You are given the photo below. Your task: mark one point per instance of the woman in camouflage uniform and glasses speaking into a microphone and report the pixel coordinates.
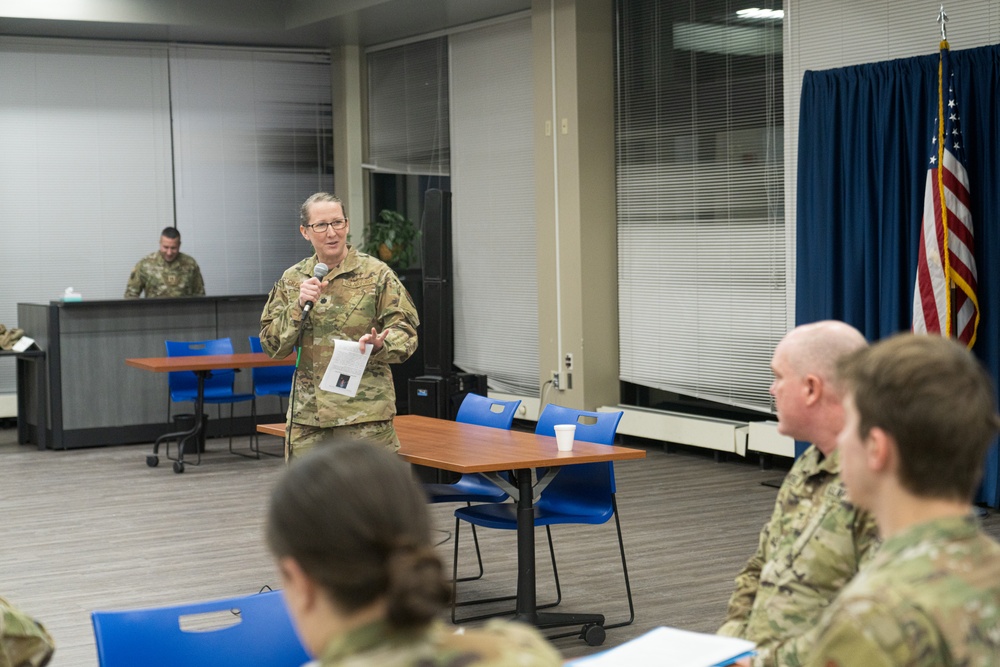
(360, 299)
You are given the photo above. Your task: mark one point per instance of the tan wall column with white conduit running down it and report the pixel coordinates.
(573, 47)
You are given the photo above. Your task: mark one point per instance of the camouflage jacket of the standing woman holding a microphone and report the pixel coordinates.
(361, 293)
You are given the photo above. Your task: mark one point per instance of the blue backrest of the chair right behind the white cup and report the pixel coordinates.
(585, 488)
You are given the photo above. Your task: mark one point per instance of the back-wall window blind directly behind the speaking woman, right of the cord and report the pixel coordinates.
(252, 140)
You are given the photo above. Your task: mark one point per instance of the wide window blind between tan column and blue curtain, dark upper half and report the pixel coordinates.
(702, 246)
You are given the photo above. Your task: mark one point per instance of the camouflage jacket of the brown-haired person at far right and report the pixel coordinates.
(931, 596)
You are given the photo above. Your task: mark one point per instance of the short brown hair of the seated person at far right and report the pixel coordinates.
(935, 400)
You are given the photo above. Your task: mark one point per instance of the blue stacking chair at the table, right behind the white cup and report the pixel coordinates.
(579, 494)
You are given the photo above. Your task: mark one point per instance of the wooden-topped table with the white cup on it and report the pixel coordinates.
(467, 448)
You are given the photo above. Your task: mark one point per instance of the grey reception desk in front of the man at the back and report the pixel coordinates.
(94, 399)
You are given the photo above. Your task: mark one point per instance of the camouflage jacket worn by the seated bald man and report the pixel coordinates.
(813, 545)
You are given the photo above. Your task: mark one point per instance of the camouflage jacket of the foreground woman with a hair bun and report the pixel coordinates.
(498, 644)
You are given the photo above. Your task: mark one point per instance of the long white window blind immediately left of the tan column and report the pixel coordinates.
(493, 177)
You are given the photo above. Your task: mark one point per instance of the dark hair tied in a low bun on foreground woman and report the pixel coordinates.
(356, 522)
